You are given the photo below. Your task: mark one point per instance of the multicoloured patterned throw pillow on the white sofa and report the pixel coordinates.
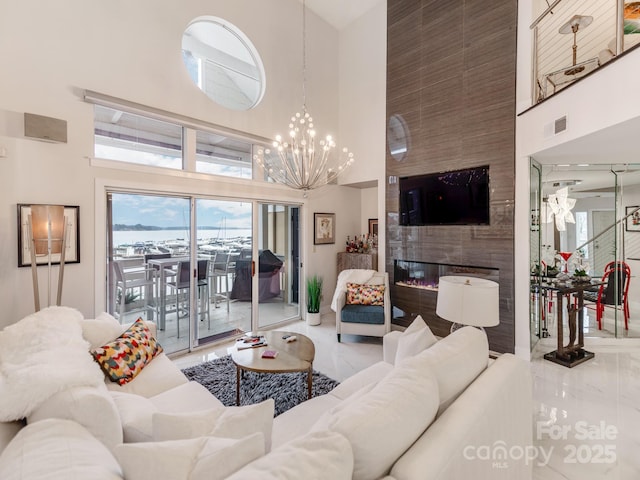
(125, 357)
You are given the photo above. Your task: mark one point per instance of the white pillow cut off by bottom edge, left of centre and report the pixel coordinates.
(209, 458)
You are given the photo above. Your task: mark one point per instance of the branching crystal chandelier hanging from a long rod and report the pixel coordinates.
(297, 161)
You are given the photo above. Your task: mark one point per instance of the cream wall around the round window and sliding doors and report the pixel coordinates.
(52, 51)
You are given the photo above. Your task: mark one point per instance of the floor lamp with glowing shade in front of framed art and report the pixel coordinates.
(47, 229)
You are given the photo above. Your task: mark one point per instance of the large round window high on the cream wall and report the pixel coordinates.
(223, 63)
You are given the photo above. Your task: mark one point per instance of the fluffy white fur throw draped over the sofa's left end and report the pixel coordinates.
(42, 354)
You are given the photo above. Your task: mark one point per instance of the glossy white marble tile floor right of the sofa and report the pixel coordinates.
(588, 416)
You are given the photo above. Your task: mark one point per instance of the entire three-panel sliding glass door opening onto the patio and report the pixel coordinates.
(194, 266)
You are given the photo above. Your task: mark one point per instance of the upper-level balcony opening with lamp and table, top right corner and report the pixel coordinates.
(572, 38)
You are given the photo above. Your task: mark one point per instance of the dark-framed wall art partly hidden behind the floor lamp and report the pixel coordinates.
(72, 250)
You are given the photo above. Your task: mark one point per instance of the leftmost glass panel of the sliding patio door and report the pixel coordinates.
(148, 251)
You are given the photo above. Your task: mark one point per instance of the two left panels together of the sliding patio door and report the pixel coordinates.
(172, 260)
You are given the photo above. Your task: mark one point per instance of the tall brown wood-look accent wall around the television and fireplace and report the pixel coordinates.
(451, 74)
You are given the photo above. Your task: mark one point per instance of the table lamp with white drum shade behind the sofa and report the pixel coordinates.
(468, 301)
